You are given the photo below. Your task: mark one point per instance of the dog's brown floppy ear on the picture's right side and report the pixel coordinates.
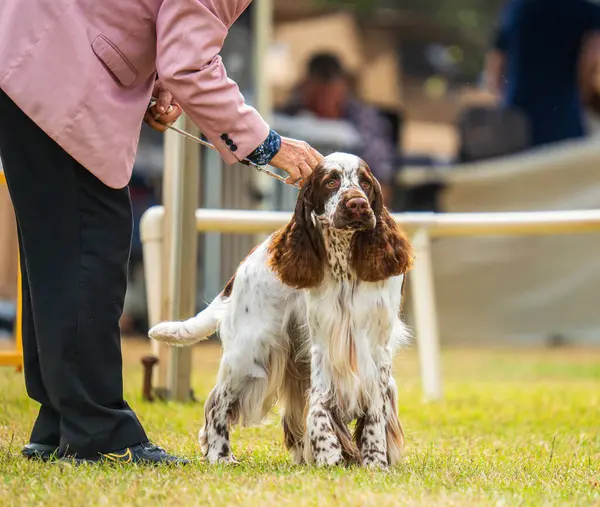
(384, 251)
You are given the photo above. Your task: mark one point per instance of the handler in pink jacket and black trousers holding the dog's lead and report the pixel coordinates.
(76, 77)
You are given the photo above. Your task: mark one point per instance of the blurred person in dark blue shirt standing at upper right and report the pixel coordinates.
(534, 64)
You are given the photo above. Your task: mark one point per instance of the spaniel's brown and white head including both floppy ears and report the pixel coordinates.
(341, 194)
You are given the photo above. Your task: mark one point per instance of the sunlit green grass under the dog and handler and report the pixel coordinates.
(516, 427)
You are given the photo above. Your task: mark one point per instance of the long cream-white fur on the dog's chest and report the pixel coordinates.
(351, 327)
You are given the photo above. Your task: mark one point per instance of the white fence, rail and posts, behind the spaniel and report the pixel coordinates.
(421, 226)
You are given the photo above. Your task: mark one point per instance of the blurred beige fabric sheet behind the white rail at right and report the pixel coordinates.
(520, 289)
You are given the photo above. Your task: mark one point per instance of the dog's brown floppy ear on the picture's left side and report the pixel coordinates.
(297, 253)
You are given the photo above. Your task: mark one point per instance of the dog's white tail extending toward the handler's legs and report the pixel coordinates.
(188, 332)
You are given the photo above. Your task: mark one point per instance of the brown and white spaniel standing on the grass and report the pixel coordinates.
(311, 319)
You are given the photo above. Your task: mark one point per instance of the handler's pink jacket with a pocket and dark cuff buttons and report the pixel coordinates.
(84, 71)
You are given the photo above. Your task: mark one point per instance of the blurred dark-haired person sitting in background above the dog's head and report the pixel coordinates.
(326, 92)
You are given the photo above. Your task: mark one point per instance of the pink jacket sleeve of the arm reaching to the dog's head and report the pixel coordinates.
(190, 35)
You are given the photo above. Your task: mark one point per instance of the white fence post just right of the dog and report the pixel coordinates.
(423, 294)
